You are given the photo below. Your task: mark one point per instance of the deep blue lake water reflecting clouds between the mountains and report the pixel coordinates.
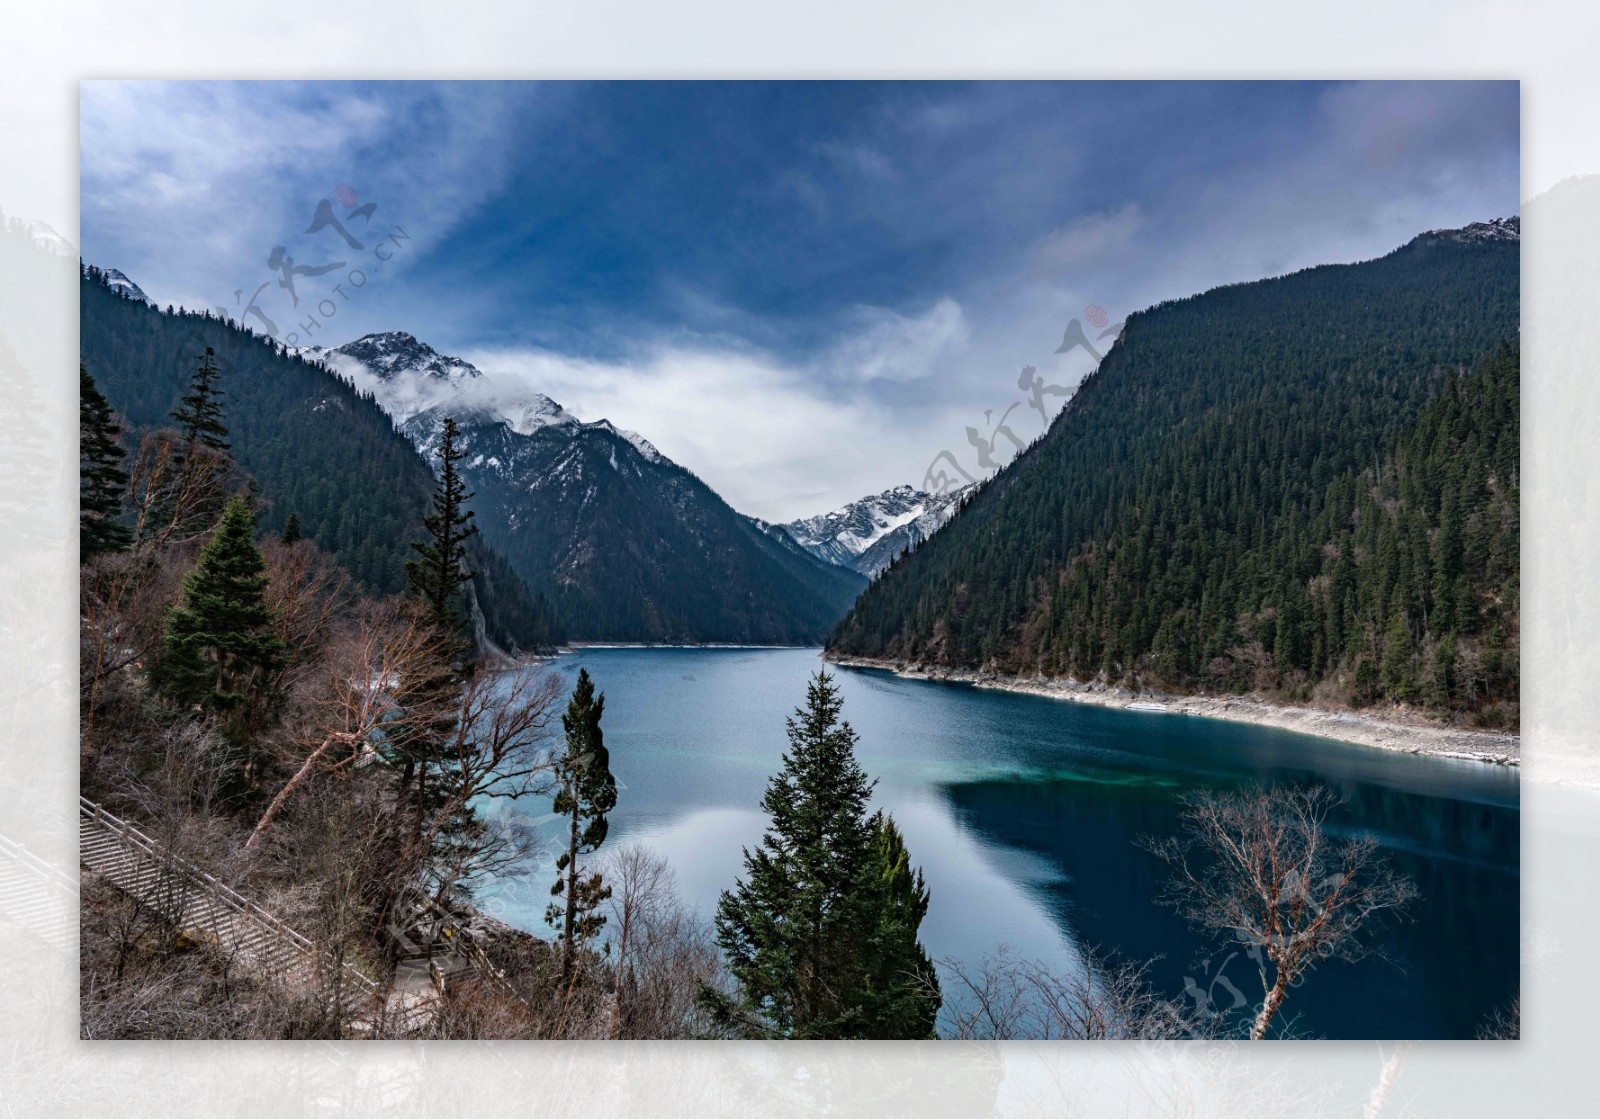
(1023, 814)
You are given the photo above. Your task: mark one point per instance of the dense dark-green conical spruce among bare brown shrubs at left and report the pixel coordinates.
(218, 644)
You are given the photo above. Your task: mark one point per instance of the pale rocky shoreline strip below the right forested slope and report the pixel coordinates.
(1399, 732)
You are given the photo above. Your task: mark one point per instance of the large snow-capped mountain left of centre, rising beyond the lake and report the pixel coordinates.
(626, 545)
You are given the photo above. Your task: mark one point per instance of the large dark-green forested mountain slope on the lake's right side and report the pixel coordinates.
(1303, 486)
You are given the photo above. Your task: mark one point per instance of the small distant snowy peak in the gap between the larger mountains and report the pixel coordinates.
(868, 535)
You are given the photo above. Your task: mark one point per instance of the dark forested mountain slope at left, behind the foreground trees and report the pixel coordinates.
(319, 449)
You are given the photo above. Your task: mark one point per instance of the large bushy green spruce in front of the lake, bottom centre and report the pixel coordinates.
(822, 930)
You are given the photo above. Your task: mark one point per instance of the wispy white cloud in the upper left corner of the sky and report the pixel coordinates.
(196, 182)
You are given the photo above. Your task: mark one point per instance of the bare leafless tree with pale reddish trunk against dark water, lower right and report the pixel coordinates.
(1258, 870)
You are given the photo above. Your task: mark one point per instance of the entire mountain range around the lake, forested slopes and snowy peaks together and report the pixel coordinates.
(1236, 497)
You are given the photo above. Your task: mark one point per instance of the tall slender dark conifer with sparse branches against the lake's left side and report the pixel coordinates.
(586, 793)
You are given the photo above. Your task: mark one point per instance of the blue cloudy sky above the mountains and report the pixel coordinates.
(802, 292)
